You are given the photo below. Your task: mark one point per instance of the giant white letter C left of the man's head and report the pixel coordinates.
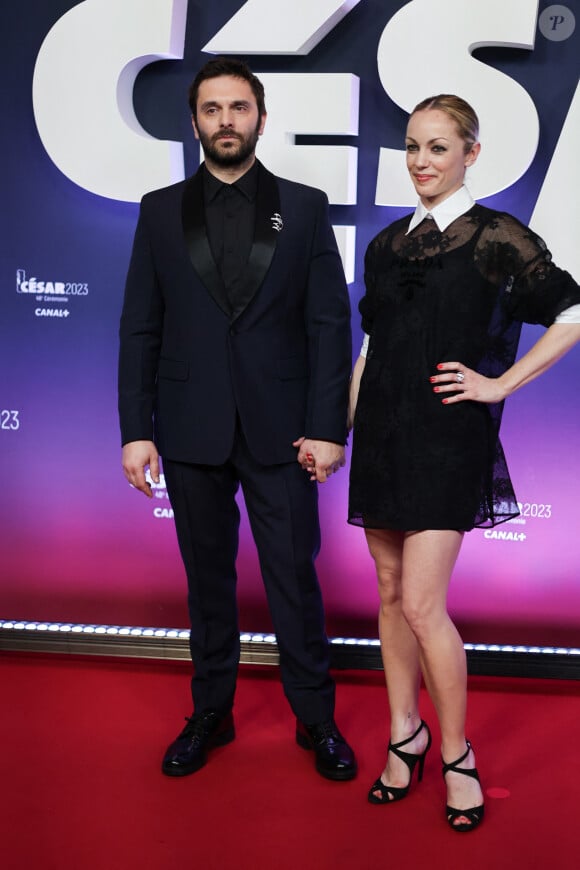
(83, 94)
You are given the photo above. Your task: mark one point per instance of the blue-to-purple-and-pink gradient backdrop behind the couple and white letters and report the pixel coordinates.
(77, 543)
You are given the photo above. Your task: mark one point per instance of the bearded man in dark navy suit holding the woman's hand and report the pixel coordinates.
(234, 367)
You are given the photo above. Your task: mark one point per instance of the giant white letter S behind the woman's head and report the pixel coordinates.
(426, 49)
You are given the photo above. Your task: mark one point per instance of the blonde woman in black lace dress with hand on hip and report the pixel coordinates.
(447, 289)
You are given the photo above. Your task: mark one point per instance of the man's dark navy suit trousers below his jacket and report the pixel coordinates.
(282, 505)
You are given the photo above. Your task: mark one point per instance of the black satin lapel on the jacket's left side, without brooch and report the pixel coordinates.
(193, 221)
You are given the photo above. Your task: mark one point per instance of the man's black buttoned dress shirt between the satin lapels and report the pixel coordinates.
(230, 214)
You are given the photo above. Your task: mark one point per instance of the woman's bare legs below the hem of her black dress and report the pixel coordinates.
(414, 569)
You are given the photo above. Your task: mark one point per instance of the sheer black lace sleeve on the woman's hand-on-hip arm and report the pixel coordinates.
(536, 290)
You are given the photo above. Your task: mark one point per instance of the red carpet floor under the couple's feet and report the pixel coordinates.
(82, 740)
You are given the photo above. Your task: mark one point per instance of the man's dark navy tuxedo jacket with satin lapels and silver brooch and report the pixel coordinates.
(280, 359)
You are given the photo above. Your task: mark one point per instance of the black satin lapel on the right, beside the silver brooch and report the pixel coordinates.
(265, 239)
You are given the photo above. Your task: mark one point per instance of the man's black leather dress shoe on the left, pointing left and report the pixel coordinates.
(203, 731)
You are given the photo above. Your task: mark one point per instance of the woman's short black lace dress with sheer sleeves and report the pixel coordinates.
(432, 297)
